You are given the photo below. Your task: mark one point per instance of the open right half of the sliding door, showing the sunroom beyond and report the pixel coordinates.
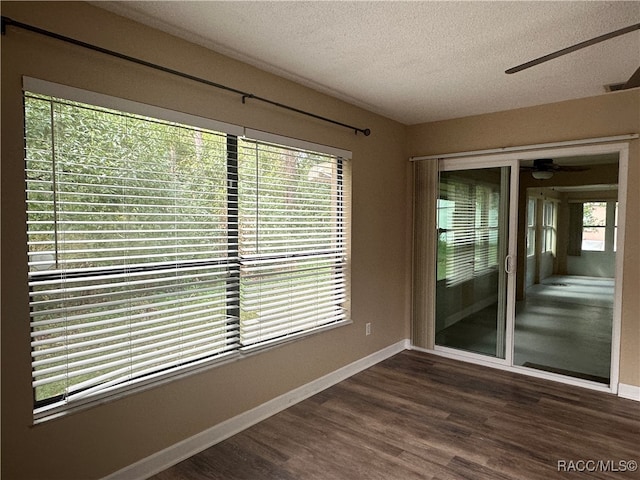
(566, 284)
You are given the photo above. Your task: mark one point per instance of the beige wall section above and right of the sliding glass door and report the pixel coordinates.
(606, 115)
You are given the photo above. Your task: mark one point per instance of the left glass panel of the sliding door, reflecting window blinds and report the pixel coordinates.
(471, 284)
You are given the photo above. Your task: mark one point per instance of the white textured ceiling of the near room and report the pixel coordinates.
(414, 61)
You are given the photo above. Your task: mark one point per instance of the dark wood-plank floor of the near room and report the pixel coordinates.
(419, 416)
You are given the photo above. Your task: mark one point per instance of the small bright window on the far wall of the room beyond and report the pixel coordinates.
(598, 219)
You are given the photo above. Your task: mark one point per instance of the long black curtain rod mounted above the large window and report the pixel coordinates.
(6, 21)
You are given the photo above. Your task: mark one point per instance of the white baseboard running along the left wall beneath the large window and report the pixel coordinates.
(180, 451)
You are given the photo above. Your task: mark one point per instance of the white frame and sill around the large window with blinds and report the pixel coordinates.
(48, 409)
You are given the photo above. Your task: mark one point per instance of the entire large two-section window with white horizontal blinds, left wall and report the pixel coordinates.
(155, 246)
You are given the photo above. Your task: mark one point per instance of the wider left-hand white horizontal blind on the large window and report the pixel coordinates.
(130, 268)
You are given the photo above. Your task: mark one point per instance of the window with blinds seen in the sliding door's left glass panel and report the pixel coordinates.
(468, 229)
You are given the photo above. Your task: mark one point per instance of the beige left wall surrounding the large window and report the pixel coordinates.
(103, 439)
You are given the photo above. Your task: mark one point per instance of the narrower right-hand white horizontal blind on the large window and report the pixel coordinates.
(292, 241)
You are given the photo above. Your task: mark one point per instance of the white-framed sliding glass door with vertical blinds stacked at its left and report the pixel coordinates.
(502, 240)
